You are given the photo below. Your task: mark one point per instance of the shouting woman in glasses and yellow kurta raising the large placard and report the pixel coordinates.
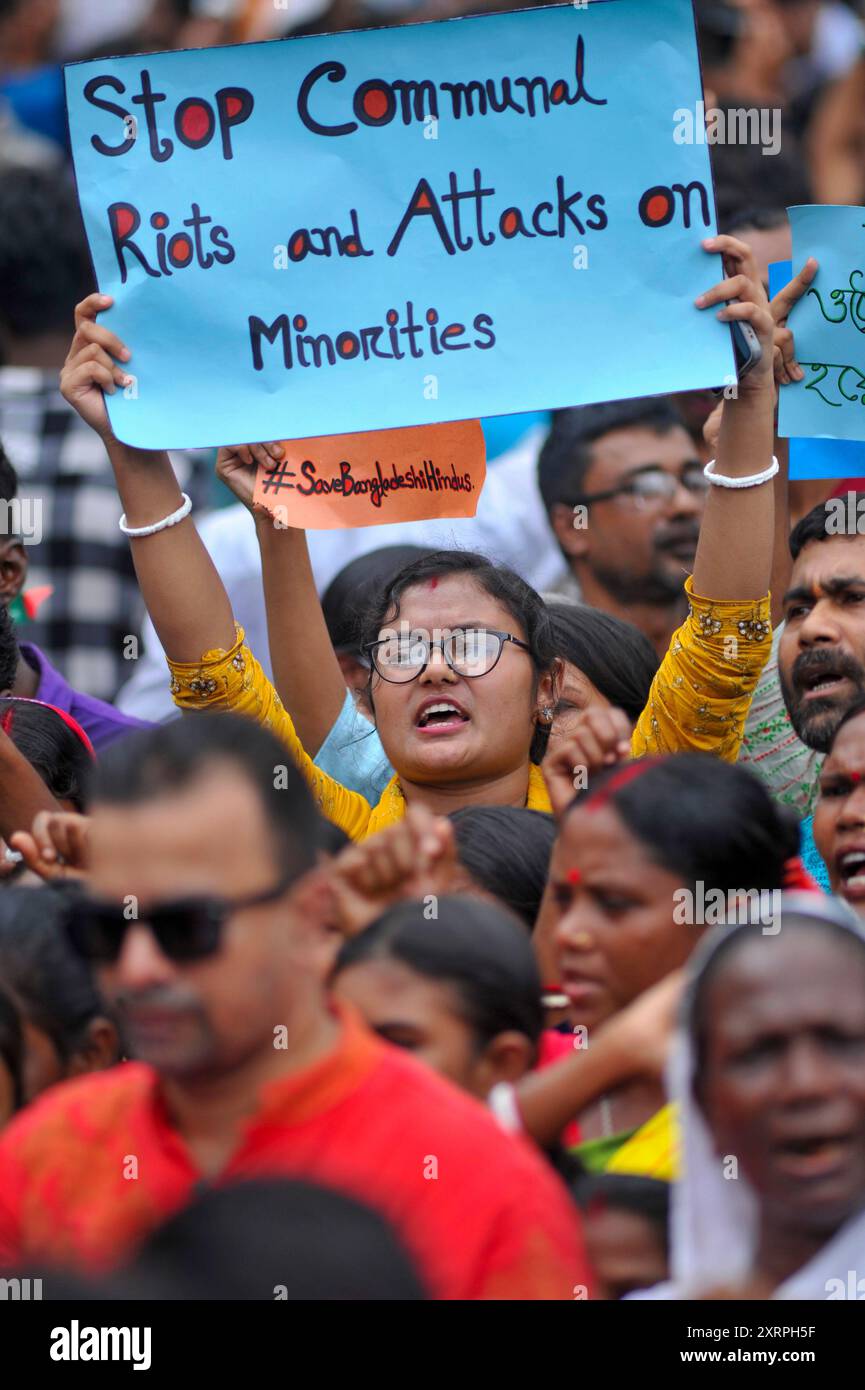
(465, 669)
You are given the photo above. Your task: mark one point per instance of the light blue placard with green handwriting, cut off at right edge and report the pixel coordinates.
(830, 327)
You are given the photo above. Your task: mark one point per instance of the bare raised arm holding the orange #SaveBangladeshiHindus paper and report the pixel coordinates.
(307, 672)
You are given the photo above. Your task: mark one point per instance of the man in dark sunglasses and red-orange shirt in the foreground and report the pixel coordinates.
(207, 918)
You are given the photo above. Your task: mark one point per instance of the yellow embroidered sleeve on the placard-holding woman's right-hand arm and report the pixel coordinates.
(703, 690)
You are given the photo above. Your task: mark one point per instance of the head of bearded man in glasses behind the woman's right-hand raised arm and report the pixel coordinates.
(625, 493)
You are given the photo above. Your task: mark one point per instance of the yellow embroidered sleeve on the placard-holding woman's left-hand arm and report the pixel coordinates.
(236, 682)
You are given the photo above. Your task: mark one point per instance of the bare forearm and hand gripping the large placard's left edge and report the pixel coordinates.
(180, 583)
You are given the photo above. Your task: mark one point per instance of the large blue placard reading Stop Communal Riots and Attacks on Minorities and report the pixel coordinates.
(401, 227)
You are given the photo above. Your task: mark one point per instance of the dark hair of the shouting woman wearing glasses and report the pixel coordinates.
(525, 605)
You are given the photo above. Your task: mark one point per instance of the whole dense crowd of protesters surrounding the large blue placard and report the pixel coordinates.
(486, 921)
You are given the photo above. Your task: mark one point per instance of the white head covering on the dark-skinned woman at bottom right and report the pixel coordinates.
(714, 1221)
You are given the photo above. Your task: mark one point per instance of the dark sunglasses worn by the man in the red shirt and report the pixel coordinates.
(187, 929)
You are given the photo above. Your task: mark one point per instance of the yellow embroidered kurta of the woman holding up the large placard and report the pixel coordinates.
(699, 701)
